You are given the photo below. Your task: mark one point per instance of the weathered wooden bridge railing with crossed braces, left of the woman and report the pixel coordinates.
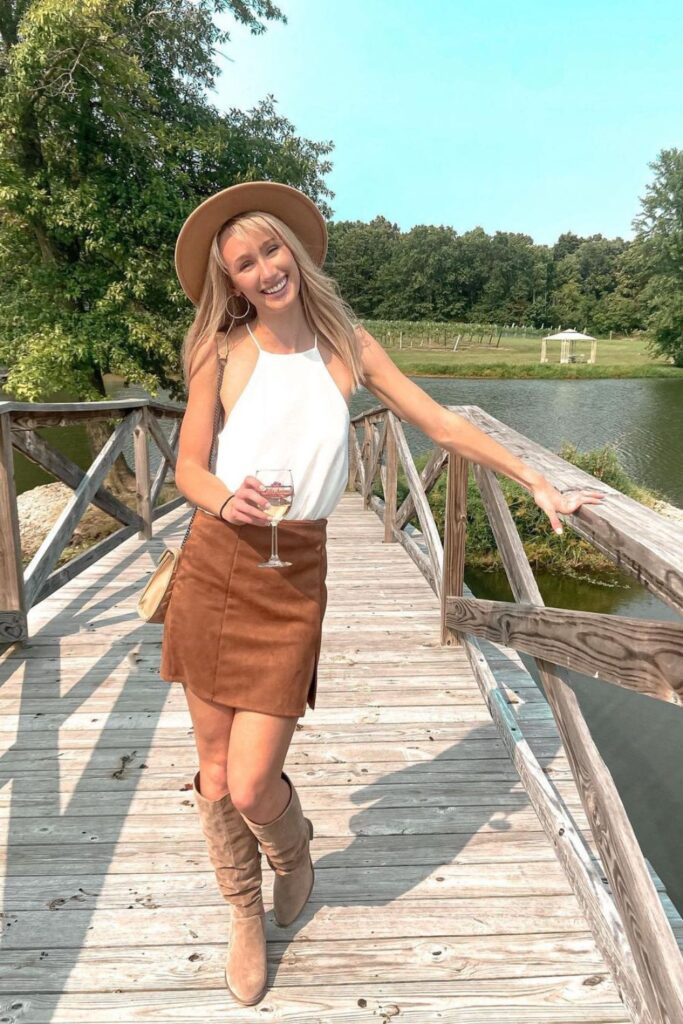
(140, 418)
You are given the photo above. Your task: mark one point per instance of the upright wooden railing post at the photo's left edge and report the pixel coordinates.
(14, 626)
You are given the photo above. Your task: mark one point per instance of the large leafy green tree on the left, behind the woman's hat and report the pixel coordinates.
(107, 143)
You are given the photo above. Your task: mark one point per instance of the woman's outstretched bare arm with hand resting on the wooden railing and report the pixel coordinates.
(454, 433)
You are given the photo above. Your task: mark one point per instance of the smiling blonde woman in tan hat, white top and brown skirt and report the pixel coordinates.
(242, 639)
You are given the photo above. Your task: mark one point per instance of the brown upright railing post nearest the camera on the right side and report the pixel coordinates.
(455, 525)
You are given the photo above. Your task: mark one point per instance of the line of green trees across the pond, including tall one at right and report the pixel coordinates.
(595, 283)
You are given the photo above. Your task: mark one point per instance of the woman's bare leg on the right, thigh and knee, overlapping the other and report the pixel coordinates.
(259, 746)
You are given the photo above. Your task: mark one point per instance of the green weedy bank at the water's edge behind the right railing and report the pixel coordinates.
(566, 553)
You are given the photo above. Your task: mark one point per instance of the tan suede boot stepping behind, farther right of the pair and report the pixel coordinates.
(285, 842)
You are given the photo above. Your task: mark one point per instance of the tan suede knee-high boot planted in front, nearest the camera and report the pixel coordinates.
(237, 862)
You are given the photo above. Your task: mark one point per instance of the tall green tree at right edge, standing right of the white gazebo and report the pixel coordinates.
(657, 255)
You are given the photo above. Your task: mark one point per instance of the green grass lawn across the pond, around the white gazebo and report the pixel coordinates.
(520, 358)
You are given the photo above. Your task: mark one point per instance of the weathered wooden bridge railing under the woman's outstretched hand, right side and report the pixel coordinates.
(629, 924)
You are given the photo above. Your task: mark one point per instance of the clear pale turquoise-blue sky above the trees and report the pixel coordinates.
(531, 116)
